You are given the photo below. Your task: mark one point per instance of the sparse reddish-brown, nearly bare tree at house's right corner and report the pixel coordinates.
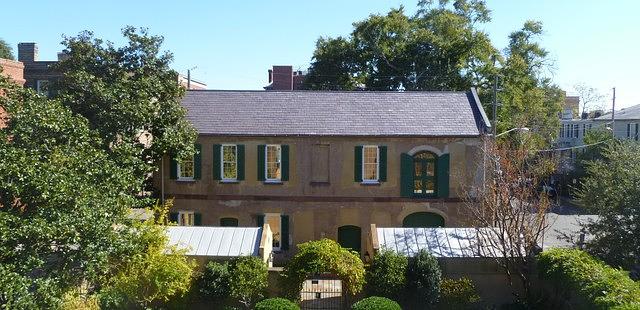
(509, 211)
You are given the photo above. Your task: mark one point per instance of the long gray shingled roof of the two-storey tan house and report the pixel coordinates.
(324, 113)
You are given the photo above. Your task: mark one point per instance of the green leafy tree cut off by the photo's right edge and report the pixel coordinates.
(610, 190)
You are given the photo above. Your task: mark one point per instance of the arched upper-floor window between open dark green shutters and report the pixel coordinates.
(424, 174)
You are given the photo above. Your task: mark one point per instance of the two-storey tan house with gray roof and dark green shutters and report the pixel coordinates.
(326, 164)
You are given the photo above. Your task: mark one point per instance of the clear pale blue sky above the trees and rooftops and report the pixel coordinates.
(233, 43)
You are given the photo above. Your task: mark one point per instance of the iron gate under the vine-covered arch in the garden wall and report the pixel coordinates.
(322, 292)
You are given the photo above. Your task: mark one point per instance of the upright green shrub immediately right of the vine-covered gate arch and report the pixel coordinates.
(387, 275)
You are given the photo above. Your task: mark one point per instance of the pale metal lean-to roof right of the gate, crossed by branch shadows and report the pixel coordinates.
(440, 242)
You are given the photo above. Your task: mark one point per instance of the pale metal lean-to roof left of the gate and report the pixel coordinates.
(216, 241)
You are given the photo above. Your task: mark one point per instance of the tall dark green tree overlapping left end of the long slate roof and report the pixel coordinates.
(126, 92)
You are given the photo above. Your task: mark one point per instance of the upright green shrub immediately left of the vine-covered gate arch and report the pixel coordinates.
(248, 279)
